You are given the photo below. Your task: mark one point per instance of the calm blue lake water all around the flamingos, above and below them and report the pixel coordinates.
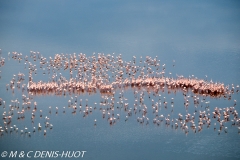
(203, 39)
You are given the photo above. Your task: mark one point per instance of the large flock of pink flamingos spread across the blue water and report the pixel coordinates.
(109, 76)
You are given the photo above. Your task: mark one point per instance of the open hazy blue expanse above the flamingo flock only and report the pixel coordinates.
(194, 32)
